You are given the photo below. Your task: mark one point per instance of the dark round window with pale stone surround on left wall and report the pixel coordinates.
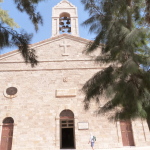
(11, 92)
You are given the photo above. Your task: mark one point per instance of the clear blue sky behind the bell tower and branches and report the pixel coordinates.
(44, 32)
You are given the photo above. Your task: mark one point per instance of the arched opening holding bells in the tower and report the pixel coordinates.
(64, 23)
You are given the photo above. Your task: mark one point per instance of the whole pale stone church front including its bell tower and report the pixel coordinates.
(41, 108)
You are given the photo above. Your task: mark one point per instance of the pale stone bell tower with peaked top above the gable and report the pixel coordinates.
(64, 19)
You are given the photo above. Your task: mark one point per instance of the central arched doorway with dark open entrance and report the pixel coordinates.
(67, 140)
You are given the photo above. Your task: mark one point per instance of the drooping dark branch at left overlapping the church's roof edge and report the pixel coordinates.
(9, 38)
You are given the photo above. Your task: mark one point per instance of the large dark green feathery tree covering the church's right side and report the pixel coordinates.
(122, 29)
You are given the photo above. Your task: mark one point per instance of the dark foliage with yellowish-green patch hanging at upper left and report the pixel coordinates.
(10, 37)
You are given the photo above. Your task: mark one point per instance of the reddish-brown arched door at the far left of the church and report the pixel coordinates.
(7, 134)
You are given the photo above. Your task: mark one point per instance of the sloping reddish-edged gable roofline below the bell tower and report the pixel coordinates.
(52, 39)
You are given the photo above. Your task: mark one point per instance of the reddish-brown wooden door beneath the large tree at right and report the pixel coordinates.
(127, 134)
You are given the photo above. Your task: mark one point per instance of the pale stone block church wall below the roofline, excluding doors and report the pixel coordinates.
(51, 87)
